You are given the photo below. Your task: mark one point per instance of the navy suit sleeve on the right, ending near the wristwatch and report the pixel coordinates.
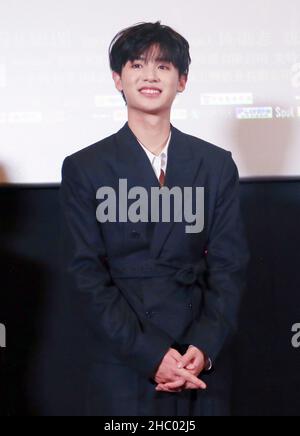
(227, 260)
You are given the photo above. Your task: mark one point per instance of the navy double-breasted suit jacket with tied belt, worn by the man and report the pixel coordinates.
(149, 286)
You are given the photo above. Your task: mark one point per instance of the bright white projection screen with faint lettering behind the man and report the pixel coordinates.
(57, 94)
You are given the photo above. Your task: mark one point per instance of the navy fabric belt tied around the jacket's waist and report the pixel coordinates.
(185, 274)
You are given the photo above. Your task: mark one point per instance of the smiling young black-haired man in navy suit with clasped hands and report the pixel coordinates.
(161, 302)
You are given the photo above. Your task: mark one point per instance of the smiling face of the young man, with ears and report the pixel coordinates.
(150, 86)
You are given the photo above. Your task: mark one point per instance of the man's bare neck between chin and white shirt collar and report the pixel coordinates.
(151, 130)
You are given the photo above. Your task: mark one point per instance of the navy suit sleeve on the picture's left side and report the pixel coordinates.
(137, 343)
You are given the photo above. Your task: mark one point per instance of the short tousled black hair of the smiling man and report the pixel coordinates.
(130, 43)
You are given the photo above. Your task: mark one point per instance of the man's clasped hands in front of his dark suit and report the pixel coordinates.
(177, 372)
